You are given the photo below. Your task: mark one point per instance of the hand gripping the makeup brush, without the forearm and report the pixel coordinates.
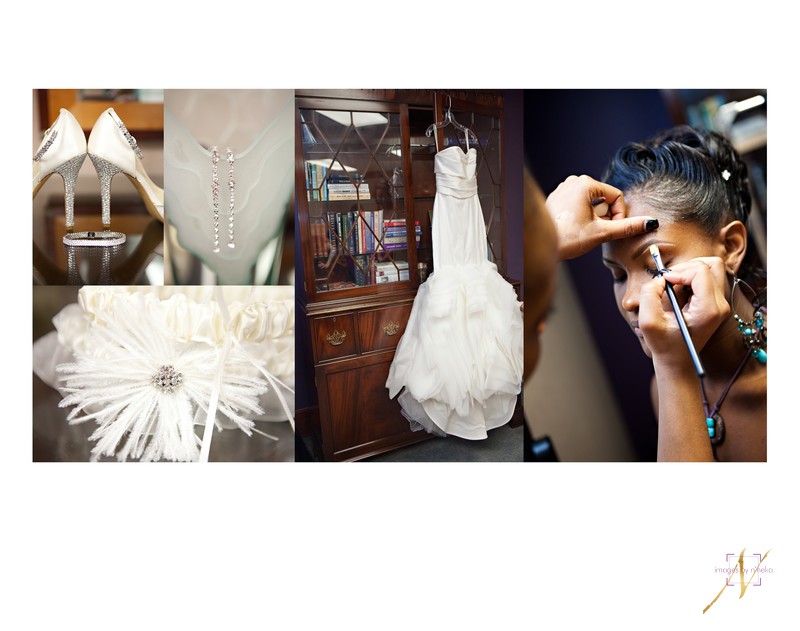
(700, 286)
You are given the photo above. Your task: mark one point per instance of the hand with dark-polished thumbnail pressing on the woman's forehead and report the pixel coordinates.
(588, 213)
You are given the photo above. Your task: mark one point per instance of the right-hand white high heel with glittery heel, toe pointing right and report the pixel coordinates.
(113, 150)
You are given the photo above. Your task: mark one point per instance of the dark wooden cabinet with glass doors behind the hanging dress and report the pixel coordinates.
(365, 188)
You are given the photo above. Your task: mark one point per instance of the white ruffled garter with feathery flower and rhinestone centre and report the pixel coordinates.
(147, 369)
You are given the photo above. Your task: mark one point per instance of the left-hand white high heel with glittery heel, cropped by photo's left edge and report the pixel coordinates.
(62, 151)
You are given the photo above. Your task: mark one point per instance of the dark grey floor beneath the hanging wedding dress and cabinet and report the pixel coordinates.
(504, 444)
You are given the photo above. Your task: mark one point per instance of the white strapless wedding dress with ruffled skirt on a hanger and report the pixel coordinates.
(459, 363)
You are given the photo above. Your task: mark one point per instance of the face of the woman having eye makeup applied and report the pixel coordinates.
(632, 266)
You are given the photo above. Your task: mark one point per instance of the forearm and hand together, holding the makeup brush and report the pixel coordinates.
(682, 432)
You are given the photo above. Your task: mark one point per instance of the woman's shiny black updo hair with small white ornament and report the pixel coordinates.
(689, 175)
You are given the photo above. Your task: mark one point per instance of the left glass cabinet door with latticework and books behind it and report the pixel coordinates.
(355, 191)
